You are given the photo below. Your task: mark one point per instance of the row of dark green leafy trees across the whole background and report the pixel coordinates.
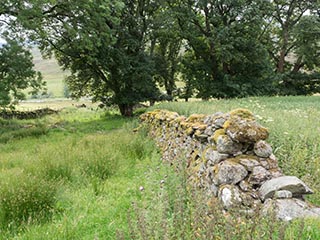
(121, 51)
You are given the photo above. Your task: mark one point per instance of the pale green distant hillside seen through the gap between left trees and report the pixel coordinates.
(51, 73)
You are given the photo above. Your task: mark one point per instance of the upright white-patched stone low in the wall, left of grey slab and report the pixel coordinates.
(229, 196)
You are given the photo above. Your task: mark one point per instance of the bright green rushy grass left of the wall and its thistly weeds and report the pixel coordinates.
(75, 182)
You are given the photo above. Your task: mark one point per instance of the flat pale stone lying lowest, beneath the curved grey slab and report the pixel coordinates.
(289, 209)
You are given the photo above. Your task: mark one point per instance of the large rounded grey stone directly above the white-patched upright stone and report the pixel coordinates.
(229, 172)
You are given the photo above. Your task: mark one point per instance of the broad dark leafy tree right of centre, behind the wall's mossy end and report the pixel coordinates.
(224, 55)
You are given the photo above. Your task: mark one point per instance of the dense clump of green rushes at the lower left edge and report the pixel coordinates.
(25, 198)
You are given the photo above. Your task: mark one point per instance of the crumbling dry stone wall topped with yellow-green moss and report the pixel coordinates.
(227, 155)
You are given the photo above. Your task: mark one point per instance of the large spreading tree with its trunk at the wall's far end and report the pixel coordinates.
(103, 43)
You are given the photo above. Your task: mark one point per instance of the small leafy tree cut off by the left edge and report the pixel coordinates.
(16, 73)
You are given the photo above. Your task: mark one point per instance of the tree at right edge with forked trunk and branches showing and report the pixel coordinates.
(292, 37)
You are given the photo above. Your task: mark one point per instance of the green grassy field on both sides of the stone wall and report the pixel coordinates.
(85, 174)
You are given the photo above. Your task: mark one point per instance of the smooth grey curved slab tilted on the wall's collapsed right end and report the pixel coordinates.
(290, 183)
